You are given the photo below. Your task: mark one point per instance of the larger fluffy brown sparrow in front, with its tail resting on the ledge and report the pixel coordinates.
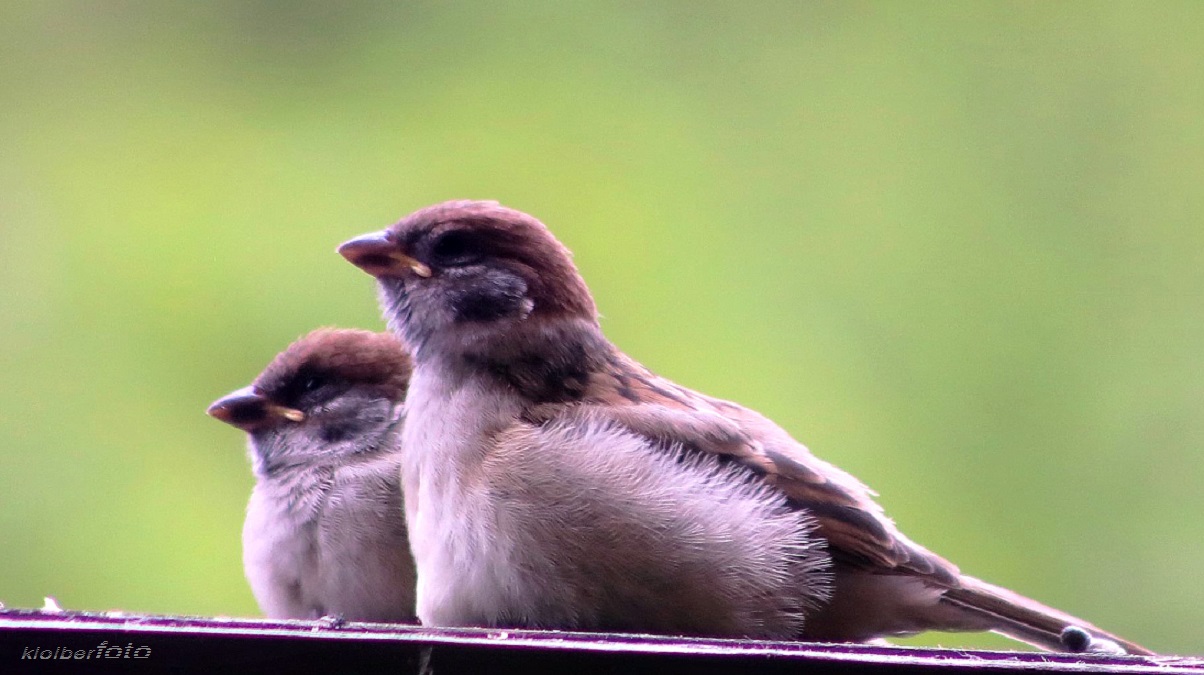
(553, 482)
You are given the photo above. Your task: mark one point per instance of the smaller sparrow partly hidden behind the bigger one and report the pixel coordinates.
(326, 532)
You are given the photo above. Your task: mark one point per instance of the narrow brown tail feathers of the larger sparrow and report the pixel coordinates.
(1030, 621)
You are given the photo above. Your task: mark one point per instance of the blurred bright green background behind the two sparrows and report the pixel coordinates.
(957, 248)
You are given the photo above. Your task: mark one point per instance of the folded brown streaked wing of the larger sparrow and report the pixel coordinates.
(859, 534)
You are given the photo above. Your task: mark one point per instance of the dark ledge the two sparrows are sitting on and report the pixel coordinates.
(37, 641)
